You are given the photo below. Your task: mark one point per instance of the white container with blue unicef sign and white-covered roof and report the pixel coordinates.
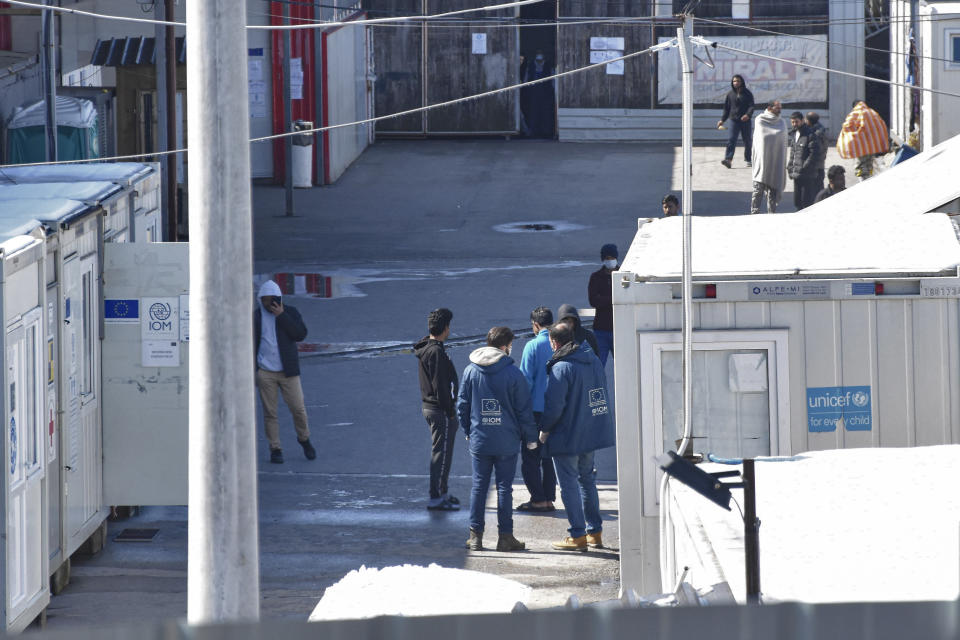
(815, 330)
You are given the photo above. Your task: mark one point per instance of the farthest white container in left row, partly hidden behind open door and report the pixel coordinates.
(131, 208)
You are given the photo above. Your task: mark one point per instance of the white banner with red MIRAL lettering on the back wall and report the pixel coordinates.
(767, 79)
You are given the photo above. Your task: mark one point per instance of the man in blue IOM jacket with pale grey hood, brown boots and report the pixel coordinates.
(494, 413)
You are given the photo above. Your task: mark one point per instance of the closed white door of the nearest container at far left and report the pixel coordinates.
(26, 568)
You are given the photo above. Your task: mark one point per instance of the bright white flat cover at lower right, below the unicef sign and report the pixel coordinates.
(854, 525)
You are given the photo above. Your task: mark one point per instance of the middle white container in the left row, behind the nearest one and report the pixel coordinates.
(74, 246)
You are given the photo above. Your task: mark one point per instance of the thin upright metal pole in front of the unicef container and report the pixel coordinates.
(686, 201)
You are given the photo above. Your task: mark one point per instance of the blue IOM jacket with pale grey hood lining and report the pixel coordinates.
(494, 404)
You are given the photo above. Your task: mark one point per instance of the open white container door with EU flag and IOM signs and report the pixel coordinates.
(145, 373)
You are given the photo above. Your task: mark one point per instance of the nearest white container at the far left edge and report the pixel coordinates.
(25, 441)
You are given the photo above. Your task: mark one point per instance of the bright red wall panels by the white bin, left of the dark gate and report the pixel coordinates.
(301, 46)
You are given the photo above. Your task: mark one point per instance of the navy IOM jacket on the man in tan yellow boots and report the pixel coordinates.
(576, 412)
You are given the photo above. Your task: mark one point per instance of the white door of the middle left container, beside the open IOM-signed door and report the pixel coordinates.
(81, 348)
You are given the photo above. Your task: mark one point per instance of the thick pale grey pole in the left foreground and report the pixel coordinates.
(223, 565)
